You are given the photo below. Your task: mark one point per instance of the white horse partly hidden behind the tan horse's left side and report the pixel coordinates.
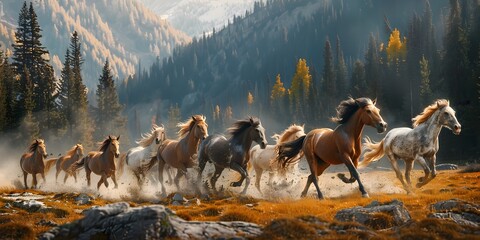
(137, 158)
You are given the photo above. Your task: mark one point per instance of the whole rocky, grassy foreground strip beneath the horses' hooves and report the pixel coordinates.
(447, 208)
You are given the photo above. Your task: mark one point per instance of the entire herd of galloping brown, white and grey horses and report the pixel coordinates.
(321, 147)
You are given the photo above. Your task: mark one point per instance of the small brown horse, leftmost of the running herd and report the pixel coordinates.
(33, 162)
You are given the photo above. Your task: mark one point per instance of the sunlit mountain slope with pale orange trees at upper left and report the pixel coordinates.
(123, 31)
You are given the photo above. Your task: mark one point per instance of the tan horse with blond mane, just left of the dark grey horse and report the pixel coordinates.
(179, 153)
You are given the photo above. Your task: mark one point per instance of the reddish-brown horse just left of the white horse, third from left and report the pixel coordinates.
(101, 162)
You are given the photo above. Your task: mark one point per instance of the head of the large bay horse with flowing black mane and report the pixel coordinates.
(371, 115)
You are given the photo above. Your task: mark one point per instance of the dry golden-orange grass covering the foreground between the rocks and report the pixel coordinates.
(300, 215)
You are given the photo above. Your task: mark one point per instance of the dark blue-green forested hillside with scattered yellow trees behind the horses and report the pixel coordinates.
(294, 60)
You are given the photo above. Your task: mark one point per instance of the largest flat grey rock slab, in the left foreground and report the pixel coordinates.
(120, 221)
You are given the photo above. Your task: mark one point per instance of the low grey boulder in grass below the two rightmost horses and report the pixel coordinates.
(376, 215)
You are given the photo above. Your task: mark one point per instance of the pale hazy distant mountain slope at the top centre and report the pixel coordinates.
(197, 16)
